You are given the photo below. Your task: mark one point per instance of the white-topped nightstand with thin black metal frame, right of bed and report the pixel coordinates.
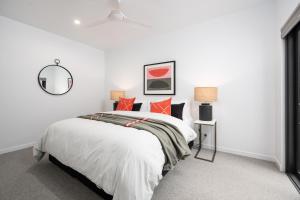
(206, 123)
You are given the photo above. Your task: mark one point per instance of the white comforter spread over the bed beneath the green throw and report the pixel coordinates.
(125, 162)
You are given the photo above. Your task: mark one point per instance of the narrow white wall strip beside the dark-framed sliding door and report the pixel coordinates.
(284, 10)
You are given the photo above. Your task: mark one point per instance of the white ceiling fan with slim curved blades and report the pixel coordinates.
(116, 14)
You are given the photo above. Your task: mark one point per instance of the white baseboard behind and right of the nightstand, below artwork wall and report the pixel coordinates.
(243, 153)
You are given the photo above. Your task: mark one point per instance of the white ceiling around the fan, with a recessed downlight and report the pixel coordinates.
(163, 15)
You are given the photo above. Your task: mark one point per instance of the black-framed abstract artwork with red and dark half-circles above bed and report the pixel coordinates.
(159, 78)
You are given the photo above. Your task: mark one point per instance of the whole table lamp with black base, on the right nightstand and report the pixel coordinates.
(205, 95)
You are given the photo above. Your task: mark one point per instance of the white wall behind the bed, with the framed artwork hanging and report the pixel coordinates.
(234, 52)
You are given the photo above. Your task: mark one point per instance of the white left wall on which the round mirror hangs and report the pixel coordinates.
(26, 110)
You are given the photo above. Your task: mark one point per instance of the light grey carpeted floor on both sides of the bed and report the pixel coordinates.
(228, 178)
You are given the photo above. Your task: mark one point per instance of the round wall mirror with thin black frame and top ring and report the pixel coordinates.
(55, 79)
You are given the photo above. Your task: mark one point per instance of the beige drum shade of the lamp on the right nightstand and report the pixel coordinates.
(205, 94)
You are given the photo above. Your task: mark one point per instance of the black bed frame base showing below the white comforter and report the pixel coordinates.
(85, 180)
